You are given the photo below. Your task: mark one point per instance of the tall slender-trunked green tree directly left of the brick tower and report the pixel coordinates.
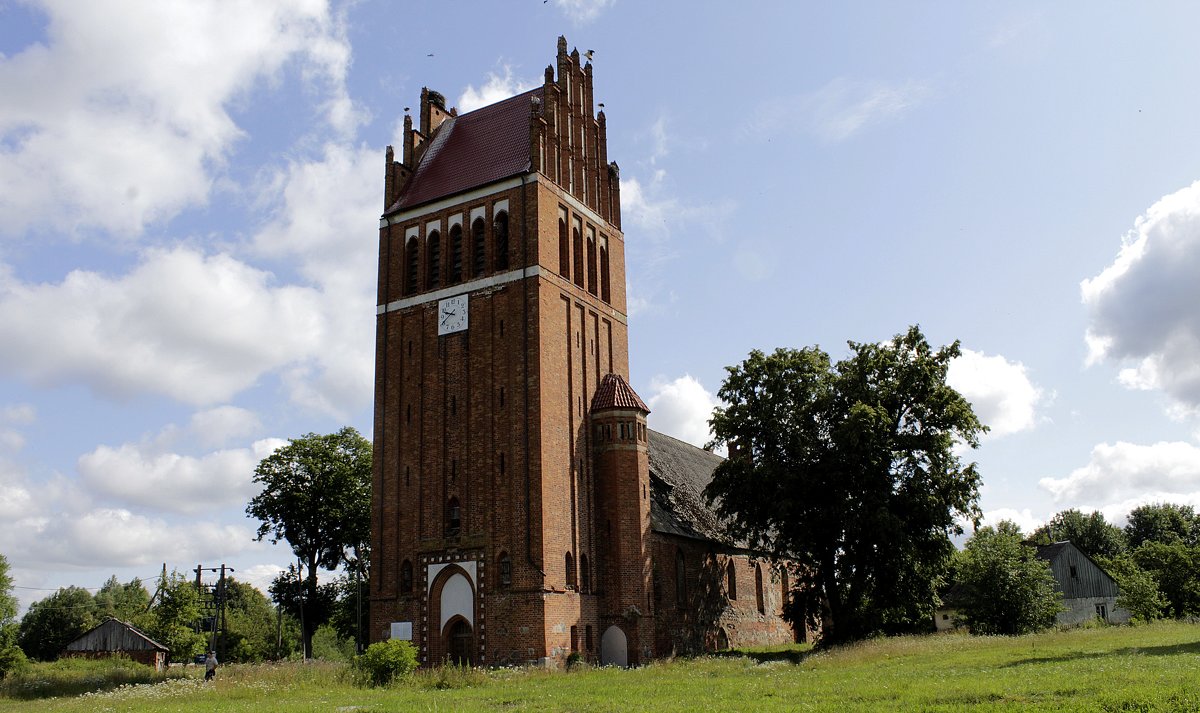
(317, 498)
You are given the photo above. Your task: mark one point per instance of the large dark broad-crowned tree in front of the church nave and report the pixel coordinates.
(851, 471)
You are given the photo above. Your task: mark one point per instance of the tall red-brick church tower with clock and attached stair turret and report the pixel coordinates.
(511, 500)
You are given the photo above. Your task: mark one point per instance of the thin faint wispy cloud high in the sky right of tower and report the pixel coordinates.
(838, 111)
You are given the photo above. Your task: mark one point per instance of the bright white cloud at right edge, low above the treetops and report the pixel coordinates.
(1126, 472)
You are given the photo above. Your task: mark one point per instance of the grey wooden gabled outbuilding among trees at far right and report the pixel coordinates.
(1088, 591)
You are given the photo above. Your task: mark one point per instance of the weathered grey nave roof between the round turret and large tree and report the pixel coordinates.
(680, 472)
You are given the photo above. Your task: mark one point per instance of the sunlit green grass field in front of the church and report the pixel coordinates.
(1153, 668)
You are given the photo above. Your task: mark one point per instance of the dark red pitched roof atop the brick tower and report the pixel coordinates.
(472, 151)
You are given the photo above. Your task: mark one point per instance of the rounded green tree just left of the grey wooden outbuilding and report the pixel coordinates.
(1004, 588)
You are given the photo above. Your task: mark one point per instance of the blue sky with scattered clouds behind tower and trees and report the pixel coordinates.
(190, 194)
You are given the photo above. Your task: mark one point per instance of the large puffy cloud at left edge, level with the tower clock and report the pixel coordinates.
(193, 327)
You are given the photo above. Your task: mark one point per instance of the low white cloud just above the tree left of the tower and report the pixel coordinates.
(136, 475)
